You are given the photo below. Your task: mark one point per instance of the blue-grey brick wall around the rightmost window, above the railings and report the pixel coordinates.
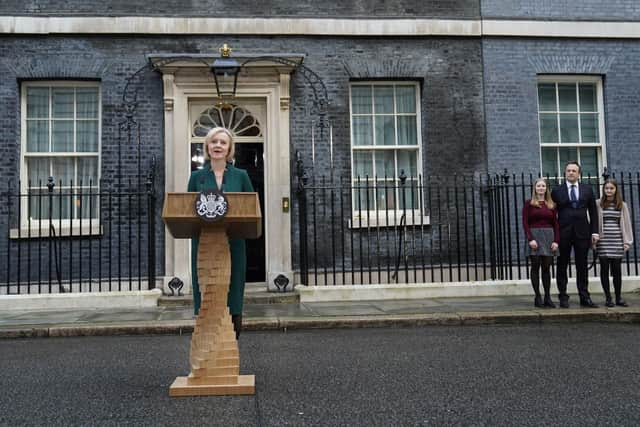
(511, 68)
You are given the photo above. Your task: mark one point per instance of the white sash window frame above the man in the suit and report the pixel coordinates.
(600, 146)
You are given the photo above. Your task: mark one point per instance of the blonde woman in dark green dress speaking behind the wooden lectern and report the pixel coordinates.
(218, 173)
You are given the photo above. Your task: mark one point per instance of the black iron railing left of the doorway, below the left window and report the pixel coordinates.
(66, 237)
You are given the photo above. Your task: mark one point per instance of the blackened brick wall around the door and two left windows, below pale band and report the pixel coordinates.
(449, 69)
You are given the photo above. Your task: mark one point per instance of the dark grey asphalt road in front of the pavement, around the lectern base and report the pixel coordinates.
(558, 374)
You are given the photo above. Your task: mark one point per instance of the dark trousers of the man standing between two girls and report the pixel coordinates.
(580, 251)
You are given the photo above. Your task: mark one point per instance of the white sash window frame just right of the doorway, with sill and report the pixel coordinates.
(387, 217)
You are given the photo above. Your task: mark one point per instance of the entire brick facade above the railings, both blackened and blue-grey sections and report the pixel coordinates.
(478, 94)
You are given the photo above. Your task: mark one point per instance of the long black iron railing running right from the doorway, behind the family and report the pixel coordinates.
(422, 230)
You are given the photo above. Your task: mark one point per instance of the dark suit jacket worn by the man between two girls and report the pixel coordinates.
(581, 221)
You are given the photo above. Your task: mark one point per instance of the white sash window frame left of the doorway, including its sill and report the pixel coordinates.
(33, 227)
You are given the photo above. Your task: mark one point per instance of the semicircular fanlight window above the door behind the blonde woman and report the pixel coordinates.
(239, 120)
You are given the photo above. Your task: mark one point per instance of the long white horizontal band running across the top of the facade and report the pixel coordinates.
(317, 26)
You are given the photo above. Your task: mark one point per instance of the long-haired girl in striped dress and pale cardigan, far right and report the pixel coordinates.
(616, 237)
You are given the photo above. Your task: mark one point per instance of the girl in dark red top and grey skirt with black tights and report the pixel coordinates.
(540, 222)
